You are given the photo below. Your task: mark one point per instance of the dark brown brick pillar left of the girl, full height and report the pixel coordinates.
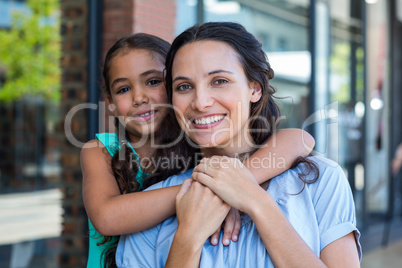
(74, 31)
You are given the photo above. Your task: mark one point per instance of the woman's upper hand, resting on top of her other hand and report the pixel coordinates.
(229, 179)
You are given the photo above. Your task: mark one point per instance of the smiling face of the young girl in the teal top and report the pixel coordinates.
(137, 89)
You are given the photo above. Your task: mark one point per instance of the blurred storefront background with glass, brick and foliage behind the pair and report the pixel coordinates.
(337, 62)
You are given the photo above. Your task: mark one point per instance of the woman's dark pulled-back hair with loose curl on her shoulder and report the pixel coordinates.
(264, 114)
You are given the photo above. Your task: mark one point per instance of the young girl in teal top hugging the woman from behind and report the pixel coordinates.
(112, 178)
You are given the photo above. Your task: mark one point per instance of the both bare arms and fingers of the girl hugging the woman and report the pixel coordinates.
(114, 214)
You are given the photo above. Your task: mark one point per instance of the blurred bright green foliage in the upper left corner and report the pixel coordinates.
(30, 52)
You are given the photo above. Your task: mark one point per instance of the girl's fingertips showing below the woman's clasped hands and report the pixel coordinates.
(231, 228)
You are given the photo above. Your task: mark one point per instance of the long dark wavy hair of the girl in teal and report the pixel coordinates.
(123, 168)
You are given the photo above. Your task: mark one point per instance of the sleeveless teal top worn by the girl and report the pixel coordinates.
(95, 259)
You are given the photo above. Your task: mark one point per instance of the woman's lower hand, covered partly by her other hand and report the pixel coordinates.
(199, 211)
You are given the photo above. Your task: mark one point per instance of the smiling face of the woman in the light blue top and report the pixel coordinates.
(212, 96)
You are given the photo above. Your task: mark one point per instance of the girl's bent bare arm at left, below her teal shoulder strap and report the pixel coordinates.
(112, 213)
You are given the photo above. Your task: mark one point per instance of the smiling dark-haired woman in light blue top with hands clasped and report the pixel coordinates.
(217, 78)
